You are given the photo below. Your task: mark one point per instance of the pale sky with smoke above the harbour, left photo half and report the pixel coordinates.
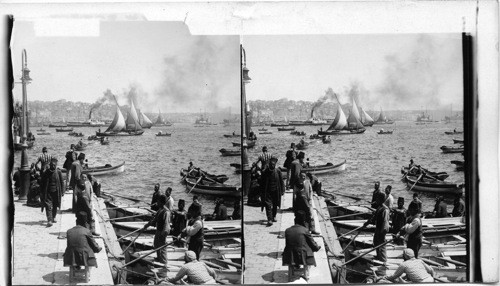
(158, 64)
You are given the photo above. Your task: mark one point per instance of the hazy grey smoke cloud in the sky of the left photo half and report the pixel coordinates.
(200, 79)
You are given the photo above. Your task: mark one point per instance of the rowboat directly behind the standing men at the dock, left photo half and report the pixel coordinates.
(212, 229)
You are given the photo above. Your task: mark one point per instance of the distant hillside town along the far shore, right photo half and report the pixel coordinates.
(284, 109)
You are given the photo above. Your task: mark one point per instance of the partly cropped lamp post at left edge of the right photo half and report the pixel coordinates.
(245, 168)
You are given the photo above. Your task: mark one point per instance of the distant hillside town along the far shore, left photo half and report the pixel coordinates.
(47, 112)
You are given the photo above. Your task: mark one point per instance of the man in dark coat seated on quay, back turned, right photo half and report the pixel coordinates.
(299, 246)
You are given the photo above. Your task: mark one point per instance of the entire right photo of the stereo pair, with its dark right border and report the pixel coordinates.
(353, 170)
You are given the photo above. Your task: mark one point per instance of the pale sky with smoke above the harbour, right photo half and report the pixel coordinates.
(388, 71)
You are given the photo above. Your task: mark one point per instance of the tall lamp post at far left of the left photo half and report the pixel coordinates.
(25, 169)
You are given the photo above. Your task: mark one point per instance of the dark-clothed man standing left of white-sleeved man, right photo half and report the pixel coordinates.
(381, 221)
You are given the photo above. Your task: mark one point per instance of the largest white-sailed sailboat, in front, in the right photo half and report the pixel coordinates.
(341, 124)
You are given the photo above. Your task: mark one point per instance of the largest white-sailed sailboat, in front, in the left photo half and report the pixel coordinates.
(120, 127)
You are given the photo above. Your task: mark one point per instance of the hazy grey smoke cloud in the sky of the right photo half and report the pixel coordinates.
(422, 76)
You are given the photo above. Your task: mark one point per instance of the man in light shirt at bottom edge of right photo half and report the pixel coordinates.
(415, 269)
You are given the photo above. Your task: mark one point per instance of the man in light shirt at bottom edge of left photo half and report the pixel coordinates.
(197, 272)
